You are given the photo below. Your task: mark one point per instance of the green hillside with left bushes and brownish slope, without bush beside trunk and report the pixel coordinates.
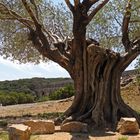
(30, 90)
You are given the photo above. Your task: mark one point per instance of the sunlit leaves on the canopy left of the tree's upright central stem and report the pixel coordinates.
(15, 36)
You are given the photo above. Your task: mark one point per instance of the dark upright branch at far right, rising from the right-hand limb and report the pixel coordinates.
(125, 27)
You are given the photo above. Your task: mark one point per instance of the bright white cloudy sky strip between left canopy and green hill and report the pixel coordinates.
(10, 70)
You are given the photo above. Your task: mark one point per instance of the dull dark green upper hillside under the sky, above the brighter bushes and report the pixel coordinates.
(28, 85)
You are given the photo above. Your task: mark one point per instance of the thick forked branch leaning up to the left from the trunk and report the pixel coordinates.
(38, 37)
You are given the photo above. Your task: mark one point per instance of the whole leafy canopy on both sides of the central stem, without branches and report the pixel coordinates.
(57, 19)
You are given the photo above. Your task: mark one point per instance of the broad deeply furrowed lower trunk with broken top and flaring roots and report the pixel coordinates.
(100, 103)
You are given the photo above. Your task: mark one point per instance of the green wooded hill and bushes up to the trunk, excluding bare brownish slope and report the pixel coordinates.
(22, 91)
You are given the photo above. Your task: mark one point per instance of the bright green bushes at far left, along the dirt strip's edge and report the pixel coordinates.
(15, 98)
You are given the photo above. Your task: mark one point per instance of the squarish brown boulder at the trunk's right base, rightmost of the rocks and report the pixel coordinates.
(128, 126)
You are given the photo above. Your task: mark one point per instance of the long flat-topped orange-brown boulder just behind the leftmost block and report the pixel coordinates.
(41, 126)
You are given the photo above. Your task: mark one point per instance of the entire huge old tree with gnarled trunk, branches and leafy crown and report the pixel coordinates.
(95, 69)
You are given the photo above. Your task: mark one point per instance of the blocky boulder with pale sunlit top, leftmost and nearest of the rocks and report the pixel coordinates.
(19, 132)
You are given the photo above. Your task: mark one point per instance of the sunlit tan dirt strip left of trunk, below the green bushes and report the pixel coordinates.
(35, 108)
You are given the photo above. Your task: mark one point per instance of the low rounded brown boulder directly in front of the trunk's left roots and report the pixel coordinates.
(74, 127)
